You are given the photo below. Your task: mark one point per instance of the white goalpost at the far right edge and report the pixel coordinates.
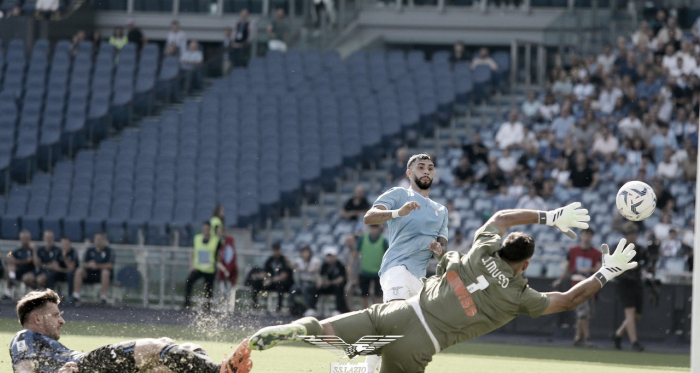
(695, 313)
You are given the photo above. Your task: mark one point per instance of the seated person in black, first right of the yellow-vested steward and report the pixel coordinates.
(275, 276)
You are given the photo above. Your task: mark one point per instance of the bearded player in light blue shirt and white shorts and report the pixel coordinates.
(417, 230)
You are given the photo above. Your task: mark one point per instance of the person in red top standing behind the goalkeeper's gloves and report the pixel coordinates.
(581, 262)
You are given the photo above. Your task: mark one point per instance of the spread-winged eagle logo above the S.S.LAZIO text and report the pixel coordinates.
(367, 345)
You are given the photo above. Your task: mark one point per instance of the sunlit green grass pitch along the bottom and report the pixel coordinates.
(297, 357)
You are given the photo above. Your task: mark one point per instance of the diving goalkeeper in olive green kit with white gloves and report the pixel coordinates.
(470, 295)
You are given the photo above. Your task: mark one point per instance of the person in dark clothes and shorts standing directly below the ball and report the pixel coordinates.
(630, 289)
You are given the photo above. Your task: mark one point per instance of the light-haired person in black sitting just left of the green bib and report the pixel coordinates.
(331, 280)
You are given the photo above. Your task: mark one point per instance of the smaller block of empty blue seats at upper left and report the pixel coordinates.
(53, 102)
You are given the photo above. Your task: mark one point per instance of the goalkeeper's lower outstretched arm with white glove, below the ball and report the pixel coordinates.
(613, 266)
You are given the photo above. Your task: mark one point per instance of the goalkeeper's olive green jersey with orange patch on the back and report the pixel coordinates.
(473, 294)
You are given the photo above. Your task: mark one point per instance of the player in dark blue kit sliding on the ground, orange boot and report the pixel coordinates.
(36, 348)
